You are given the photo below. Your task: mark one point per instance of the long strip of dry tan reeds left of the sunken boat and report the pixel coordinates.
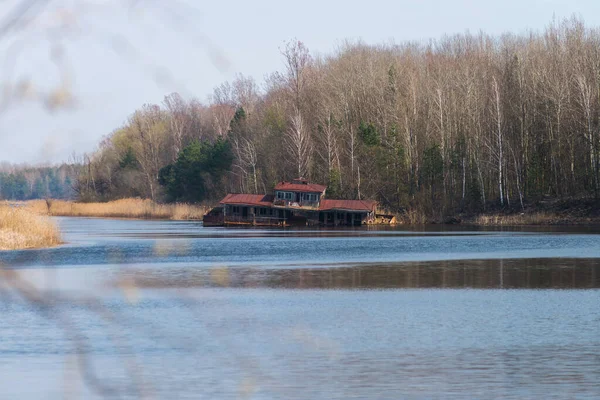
(124, 208)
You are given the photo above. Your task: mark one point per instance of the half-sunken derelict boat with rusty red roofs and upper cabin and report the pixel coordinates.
(297, 202)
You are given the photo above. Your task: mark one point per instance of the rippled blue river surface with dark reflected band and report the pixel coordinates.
(173, 310)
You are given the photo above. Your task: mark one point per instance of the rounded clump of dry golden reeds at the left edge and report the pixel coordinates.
(20, 228)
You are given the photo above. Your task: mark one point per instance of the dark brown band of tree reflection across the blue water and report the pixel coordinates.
(480, 274)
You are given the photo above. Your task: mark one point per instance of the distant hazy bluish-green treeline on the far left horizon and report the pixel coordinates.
(26, 183)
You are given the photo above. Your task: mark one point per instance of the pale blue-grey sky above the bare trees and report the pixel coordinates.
(117, 55)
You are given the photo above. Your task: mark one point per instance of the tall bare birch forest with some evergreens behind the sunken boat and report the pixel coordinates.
(455, 124)
